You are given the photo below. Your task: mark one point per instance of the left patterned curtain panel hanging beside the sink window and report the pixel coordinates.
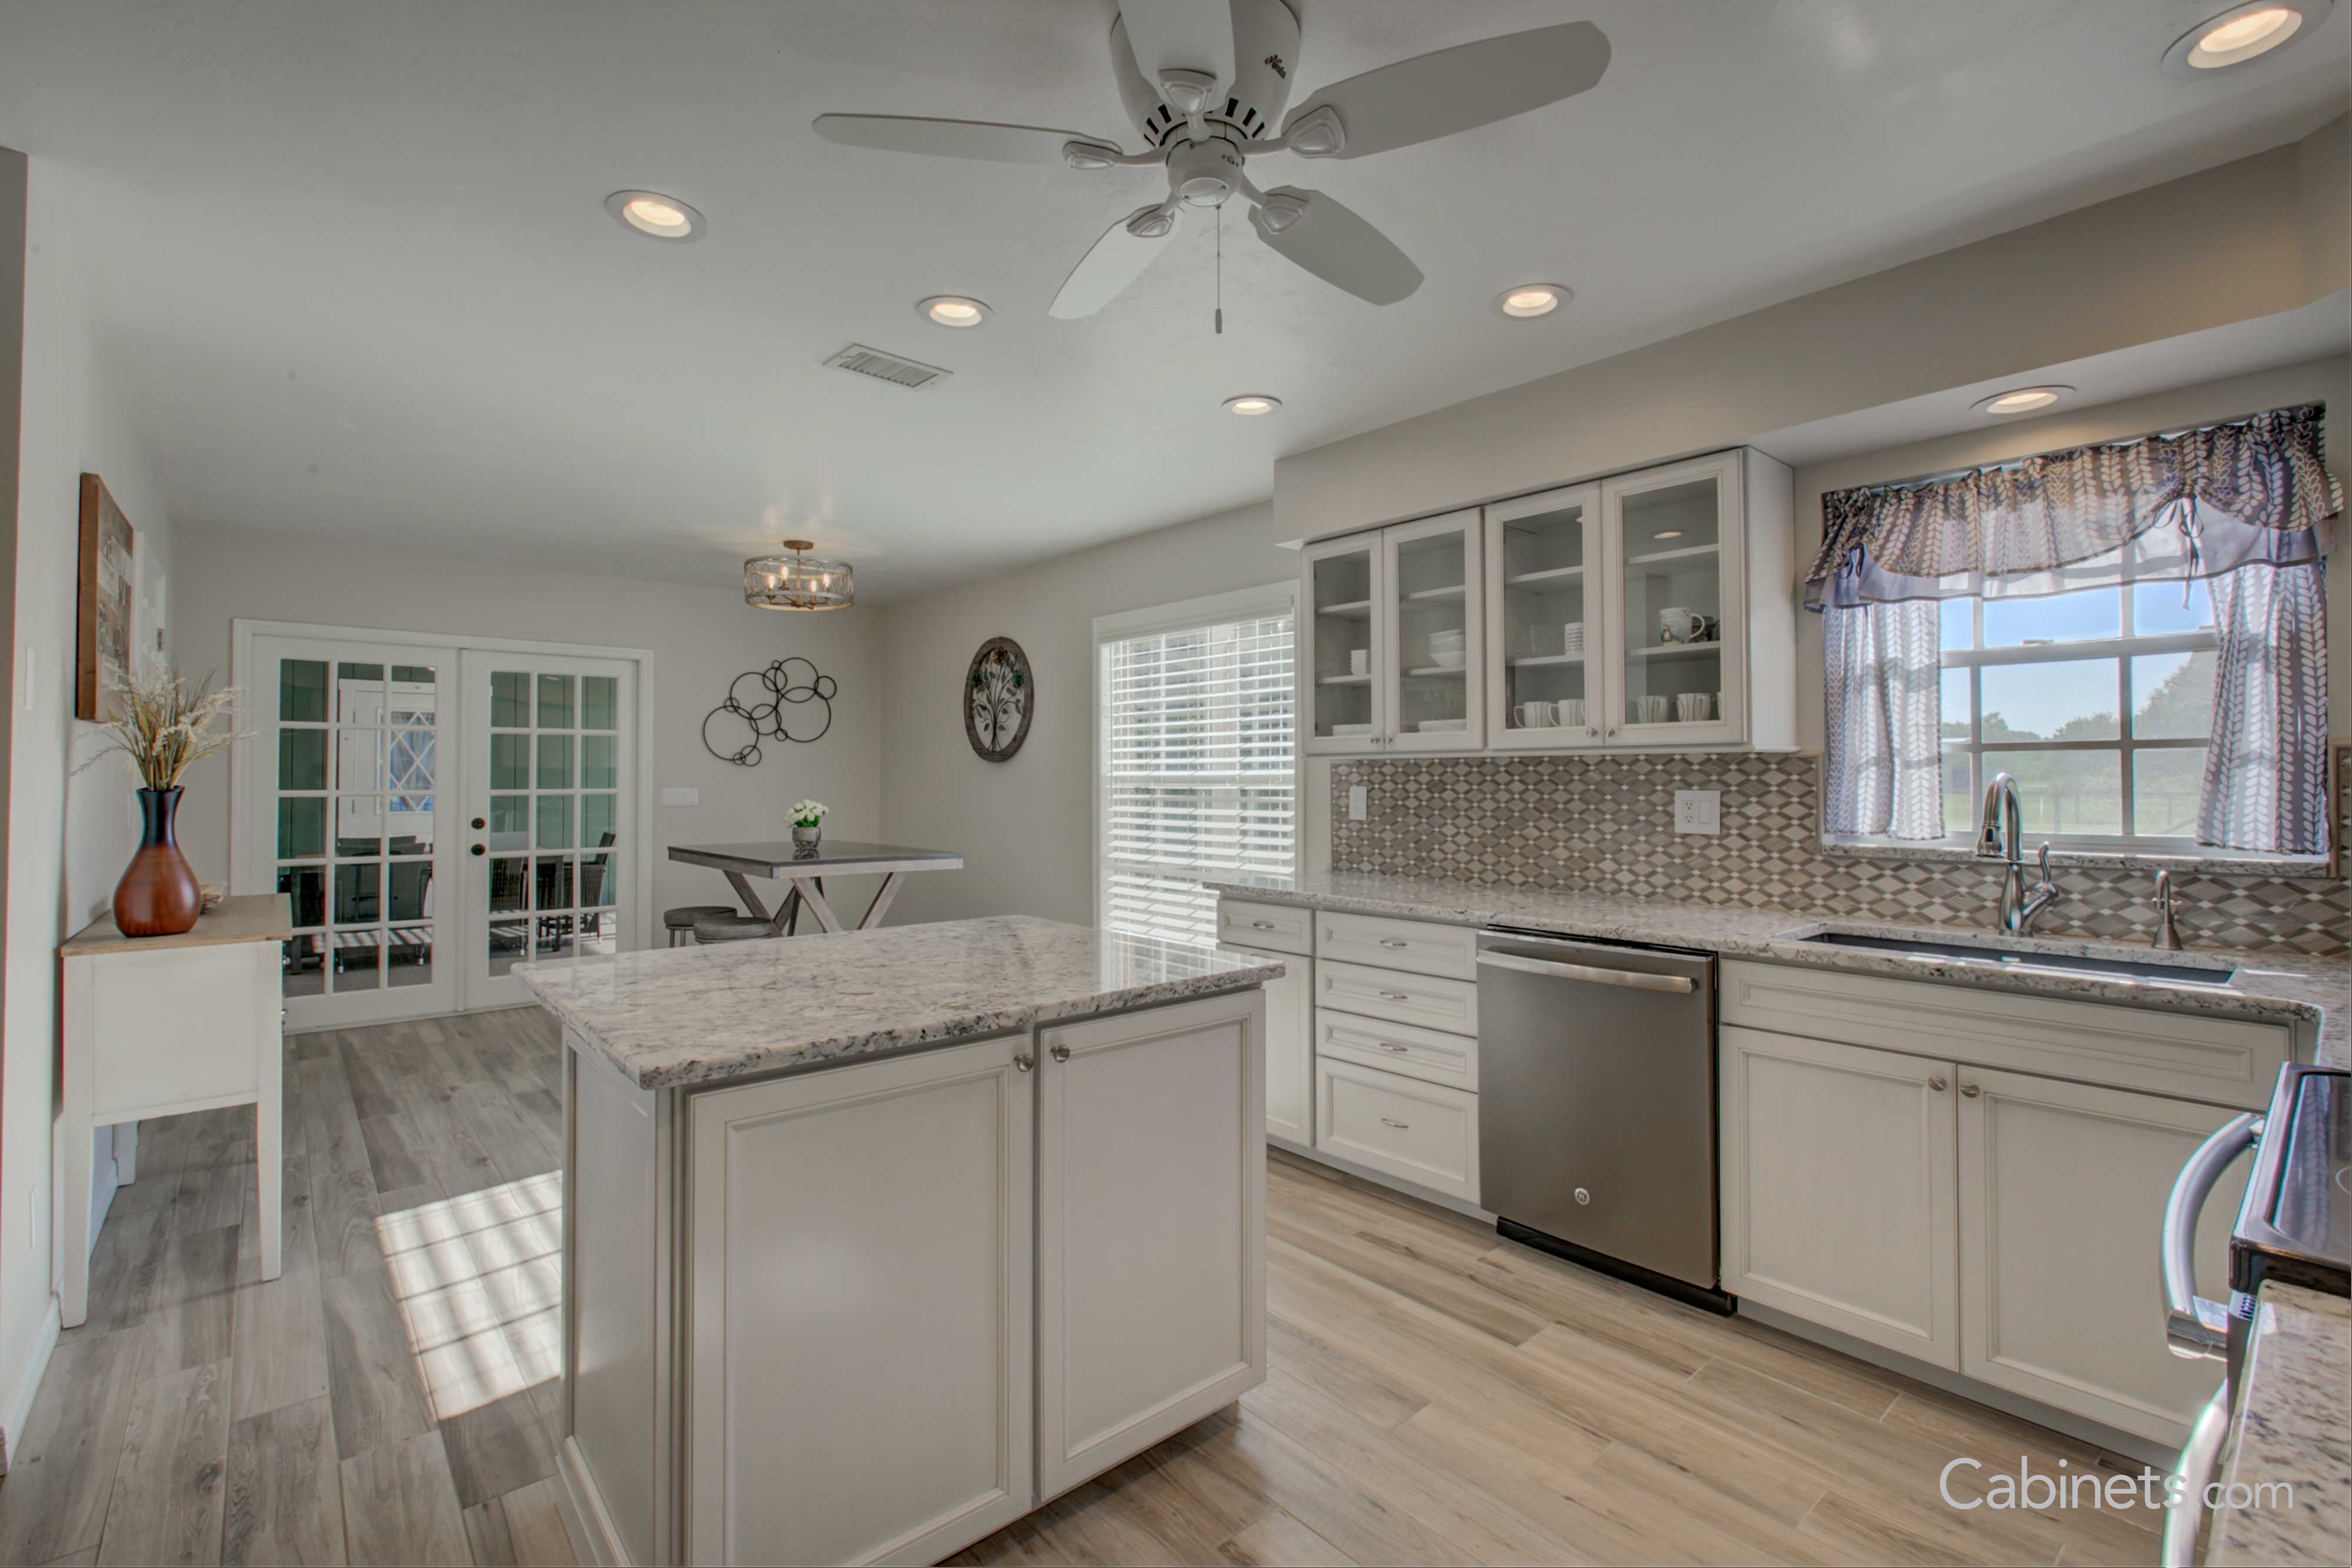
(1885, 711)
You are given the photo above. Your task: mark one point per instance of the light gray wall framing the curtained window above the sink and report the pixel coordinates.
(2191, 406)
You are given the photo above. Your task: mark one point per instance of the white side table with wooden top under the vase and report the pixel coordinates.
(159, 1026)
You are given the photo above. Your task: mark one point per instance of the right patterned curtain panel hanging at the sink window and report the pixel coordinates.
(2266, 784)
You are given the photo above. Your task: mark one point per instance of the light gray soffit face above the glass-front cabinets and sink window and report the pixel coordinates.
(2085, 283)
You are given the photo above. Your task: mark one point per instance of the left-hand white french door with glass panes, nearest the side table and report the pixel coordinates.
(352, 812)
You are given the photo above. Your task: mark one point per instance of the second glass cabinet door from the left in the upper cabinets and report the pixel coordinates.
(1431, 622)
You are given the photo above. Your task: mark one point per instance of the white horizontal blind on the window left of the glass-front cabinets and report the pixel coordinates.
(1198, 763)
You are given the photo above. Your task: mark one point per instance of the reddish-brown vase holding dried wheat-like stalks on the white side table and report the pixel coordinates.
(163, 728)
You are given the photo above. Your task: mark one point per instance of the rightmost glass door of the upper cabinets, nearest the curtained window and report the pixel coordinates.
(1673, 547)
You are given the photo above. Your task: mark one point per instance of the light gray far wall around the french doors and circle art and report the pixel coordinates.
(702, 638)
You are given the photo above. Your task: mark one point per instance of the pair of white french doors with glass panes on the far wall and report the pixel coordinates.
(436, 815)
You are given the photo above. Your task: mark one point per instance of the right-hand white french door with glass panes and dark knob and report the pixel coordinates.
(549, 800)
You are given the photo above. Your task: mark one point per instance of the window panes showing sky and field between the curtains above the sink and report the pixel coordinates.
(2099, 704)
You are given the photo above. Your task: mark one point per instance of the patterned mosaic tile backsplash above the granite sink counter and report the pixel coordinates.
(1608, 826)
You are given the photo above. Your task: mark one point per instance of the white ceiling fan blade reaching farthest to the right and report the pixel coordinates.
(1455, 91)
